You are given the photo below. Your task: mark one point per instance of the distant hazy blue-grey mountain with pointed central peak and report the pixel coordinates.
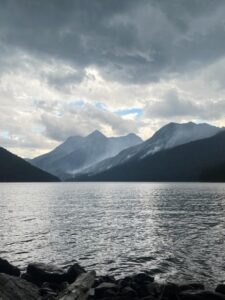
(77, 152)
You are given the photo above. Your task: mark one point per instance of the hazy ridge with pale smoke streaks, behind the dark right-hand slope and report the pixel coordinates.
(170, 135)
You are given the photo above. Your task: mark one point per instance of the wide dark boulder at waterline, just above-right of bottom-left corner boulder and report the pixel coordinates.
(39, 273)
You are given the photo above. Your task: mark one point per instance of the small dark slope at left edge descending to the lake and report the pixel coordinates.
(15, 169)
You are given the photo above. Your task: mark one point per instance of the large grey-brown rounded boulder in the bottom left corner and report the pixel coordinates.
(15, 288)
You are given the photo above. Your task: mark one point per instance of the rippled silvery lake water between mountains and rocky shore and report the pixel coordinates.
(174, 230)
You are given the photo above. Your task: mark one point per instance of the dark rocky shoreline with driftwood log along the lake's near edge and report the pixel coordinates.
(47, 282)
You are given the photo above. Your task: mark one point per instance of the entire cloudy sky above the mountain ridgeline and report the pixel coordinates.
(70, 67)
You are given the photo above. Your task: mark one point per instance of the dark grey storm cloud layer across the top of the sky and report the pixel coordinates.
(128, 40)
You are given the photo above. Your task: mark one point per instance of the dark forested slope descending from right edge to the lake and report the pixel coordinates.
(181, 163)
